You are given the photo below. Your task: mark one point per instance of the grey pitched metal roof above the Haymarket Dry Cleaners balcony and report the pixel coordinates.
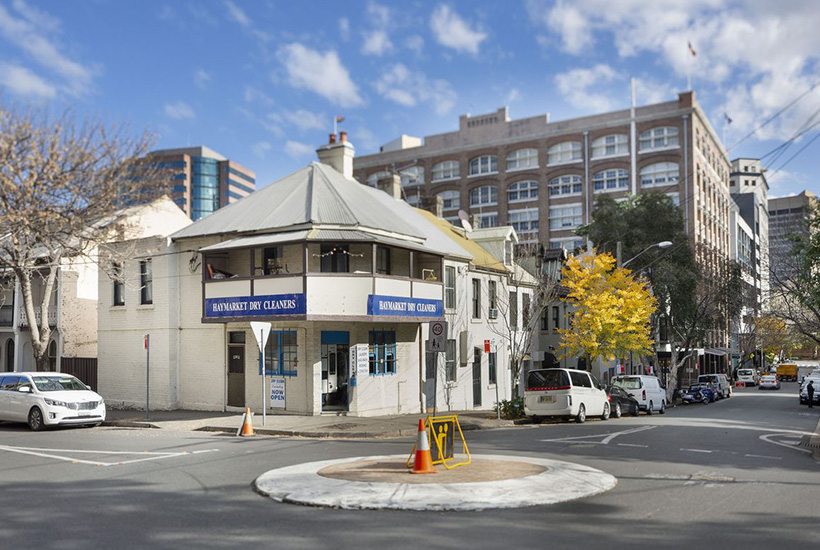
(314, 195)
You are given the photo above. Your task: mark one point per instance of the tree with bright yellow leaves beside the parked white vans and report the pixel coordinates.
(612, 309)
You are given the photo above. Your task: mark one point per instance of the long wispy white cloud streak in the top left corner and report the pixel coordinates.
(34, 34)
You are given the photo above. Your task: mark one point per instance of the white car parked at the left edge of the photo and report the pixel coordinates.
(44, 399)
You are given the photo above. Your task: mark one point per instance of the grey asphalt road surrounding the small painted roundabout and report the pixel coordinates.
(703, 476)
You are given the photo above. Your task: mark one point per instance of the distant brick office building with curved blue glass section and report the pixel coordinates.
(204, 180)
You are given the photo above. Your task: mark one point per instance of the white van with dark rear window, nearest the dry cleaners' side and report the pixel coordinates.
(566, 393)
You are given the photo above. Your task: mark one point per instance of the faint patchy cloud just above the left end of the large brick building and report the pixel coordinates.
(399, 85)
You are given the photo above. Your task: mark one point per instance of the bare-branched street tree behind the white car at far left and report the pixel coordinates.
(62, 184)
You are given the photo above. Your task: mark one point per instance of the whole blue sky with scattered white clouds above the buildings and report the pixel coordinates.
(260, 81)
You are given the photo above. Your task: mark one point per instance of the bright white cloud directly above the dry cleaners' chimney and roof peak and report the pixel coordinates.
(321, 73)
